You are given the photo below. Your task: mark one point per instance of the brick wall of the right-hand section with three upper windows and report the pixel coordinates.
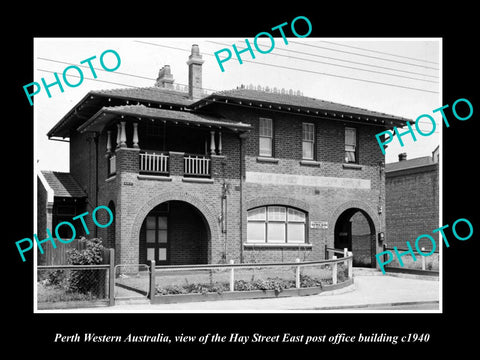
(321, 203)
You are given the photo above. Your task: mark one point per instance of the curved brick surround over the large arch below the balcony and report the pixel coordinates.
(213, 228)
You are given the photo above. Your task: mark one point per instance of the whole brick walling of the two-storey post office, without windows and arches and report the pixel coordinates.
(135, 196)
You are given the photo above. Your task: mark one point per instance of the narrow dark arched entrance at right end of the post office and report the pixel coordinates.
(355, 230)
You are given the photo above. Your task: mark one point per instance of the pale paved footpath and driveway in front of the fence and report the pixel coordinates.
(368, 293)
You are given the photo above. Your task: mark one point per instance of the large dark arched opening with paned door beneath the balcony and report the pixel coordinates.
(174, 233)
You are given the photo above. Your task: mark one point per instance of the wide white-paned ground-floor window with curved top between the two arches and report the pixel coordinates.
(276, 225)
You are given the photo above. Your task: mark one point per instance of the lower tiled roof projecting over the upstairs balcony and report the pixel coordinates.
(97, 122)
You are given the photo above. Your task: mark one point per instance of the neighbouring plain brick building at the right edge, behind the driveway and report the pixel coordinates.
(412, 201)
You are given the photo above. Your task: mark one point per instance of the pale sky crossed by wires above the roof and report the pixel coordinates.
(398, 76)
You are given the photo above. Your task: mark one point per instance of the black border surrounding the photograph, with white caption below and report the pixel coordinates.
(455, 26)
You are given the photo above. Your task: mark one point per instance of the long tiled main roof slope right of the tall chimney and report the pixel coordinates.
(297, 101)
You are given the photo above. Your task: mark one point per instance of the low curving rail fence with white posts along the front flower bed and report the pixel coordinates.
(183, 279)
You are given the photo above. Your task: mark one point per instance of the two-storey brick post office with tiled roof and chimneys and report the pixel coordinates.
(244, 174)
